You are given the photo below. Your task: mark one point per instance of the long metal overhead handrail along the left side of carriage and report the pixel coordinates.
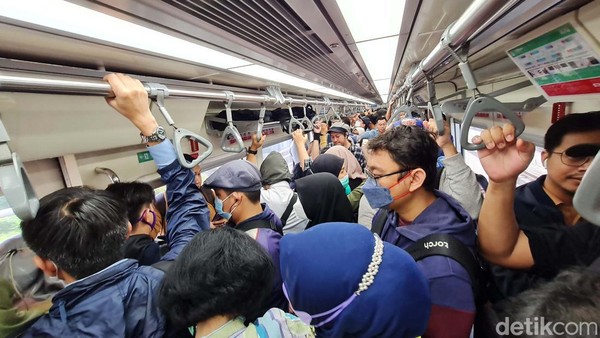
(29, 84)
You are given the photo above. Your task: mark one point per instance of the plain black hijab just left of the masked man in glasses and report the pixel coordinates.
(323, 199)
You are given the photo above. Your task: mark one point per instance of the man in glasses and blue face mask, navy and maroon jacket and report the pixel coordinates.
(401, 178)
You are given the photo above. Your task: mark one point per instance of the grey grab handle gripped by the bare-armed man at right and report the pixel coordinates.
(484, 103)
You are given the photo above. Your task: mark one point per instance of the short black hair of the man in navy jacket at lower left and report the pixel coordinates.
(81, 230)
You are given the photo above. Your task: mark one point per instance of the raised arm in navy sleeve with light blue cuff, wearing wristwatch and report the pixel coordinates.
(187, 213)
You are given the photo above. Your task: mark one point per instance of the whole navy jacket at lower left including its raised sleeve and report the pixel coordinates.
(121, 300)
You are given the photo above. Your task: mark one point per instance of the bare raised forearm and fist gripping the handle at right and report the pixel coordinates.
(504, 158)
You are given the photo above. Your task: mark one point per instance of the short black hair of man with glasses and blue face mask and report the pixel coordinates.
(410, 147)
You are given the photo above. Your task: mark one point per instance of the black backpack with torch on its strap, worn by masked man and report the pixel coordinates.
(448, 246)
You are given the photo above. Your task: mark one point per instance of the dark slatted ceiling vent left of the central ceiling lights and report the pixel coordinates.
(274, 27)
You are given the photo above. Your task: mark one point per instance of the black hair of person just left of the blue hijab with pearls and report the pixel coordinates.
(220, 272)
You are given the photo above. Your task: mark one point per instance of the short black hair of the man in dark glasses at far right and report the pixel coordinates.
(572, 123)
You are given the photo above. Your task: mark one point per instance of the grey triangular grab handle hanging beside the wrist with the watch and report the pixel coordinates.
(157, 93)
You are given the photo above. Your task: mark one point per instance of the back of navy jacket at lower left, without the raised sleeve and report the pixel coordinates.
(119, 301)
